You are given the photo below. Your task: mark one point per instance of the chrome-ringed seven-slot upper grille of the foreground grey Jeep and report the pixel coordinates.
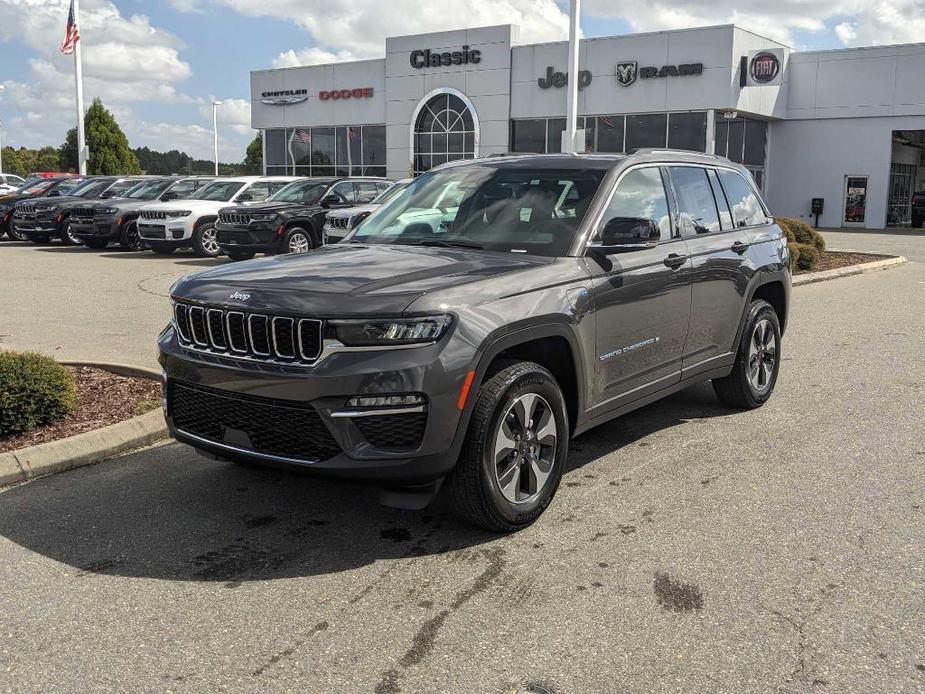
(249, 335)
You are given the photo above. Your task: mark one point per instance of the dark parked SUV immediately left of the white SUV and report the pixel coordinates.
(98, 224)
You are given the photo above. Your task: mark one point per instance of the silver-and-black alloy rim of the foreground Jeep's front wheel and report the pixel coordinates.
(525, 448)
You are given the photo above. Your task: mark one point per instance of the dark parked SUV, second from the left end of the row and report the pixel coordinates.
(40, 219)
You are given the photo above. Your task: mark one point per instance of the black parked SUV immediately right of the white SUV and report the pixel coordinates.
(292, 220)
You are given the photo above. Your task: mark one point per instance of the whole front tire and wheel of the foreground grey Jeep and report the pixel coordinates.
(515, 450)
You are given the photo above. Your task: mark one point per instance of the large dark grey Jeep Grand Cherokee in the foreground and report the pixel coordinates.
(458, 349)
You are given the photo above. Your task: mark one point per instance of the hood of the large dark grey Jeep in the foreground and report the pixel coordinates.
(348, 280)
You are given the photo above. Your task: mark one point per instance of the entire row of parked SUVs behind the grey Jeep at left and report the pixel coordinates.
(239, 216)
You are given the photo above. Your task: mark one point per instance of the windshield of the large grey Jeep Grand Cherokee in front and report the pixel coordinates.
(516, 210)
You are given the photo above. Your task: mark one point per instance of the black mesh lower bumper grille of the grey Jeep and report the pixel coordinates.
(280, 428)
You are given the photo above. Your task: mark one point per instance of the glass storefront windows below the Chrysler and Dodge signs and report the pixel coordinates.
(357, 150)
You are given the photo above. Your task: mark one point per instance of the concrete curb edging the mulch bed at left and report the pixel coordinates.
(91, 446)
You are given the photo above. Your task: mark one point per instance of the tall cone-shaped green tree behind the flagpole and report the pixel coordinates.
(109, 150)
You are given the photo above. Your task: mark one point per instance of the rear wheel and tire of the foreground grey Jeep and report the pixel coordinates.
(757, 363)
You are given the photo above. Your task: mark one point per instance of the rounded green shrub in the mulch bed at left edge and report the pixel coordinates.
(35, 390)
